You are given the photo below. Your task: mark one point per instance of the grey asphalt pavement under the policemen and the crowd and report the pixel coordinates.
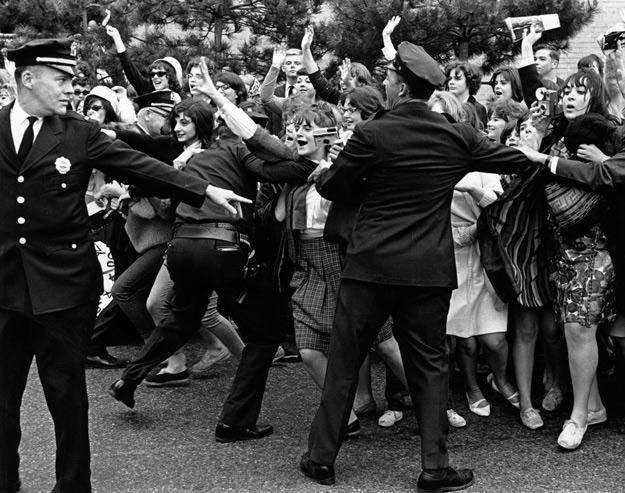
(166, 444)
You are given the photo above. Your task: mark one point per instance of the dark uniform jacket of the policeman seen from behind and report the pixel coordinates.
(402, 165)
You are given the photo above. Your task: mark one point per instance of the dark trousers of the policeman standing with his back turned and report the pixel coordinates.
(419, 317)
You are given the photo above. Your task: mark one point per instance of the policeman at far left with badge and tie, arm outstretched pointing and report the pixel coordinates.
(50, 279)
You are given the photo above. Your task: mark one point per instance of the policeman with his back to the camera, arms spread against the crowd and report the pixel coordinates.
(401, 166)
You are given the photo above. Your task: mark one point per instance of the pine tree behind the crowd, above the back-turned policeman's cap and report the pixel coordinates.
(449, 29)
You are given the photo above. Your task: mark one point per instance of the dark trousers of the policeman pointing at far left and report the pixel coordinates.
(58, 341)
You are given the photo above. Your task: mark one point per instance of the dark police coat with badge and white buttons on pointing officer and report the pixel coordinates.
(46, 251)
